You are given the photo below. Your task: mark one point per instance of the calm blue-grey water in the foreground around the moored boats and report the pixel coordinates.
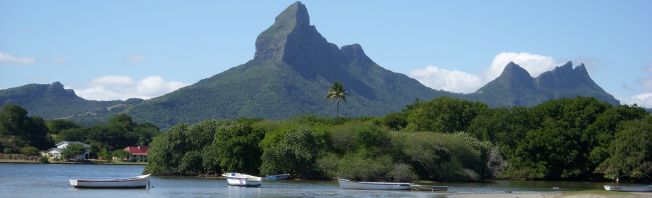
(51, 180)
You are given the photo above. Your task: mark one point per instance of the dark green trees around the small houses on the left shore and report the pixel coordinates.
(20, 133)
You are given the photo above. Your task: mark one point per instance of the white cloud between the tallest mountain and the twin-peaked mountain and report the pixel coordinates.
(449, 80)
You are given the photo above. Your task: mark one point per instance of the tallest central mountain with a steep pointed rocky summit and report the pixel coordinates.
(290, 74)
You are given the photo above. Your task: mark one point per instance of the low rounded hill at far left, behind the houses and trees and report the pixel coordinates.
(52, 101)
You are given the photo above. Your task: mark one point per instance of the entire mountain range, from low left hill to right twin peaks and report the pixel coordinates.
(291, 71)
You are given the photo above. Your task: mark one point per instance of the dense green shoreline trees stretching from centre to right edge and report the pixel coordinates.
(443, 139)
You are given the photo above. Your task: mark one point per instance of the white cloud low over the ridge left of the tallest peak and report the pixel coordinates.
(124, 87)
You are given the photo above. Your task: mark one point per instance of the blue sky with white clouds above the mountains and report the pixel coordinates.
(108, 50)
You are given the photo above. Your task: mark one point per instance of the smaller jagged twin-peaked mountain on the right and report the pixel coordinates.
(515, 86)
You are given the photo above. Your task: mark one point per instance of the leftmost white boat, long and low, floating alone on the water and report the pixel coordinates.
(141, 181)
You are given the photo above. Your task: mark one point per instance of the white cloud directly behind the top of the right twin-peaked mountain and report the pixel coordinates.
(535, 64)
